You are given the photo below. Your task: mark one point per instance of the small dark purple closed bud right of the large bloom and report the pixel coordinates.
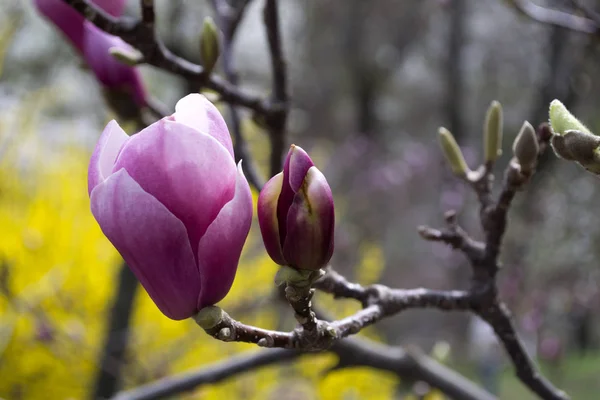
(296, 215)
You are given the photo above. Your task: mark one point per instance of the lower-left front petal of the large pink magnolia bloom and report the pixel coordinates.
(152, 241)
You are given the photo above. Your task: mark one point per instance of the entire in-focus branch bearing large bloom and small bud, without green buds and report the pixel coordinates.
(380, 301)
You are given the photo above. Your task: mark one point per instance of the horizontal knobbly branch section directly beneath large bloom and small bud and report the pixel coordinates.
(316, 335)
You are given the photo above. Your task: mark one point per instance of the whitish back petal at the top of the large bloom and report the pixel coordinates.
(197, 111)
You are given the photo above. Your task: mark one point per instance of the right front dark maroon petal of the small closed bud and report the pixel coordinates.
(310, 224)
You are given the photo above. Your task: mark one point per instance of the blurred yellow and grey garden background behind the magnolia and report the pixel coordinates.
(371, 81)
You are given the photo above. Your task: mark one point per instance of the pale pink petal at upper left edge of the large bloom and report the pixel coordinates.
(105, 154)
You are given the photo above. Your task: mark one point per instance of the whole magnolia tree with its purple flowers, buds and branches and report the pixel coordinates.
(175, 201)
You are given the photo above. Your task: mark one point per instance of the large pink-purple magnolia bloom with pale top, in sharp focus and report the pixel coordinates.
(174, 204)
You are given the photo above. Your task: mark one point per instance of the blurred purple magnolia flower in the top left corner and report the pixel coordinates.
(93, 45)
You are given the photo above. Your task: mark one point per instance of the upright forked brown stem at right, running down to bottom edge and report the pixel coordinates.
(485, 300)
